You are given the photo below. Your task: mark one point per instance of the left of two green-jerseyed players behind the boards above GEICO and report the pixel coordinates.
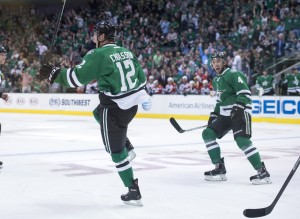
(265, 84)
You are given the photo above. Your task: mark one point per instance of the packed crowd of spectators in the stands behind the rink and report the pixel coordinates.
(172, 39)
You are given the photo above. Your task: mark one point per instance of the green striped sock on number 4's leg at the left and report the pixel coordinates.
(213, 148)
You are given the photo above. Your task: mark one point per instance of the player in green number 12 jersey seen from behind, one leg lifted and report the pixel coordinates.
(121, 83)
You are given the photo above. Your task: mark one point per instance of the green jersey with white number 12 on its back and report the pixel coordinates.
(117, 71)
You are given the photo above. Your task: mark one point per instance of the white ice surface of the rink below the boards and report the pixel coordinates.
(56, 167)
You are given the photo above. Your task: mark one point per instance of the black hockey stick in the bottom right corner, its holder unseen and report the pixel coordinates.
(260, 212)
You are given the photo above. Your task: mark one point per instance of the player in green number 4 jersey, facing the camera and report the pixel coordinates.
(232, 112)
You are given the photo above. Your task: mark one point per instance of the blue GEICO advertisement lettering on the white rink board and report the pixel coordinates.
(289, 107)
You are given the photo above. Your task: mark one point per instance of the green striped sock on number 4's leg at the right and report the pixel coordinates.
(251, 152)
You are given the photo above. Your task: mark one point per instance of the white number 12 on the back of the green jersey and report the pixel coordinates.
(126, 73)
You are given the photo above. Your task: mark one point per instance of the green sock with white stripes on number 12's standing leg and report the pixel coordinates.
(123, 167)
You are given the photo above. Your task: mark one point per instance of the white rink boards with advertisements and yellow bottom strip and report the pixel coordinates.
(264, 109)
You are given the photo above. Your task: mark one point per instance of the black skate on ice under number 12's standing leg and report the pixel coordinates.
(133, 197)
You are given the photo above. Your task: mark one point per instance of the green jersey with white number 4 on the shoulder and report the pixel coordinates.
(231, 87)
